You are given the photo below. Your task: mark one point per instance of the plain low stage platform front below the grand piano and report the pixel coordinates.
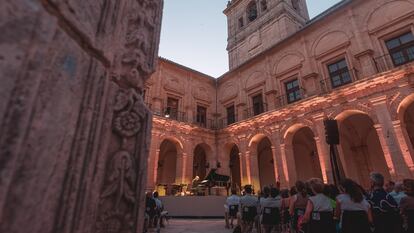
(194, 206)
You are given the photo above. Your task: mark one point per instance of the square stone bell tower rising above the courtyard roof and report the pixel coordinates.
(256, 25)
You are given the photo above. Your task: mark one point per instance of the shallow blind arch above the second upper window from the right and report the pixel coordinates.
(328, 41)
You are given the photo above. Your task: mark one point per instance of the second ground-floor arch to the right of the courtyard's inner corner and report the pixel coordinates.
(261, 161)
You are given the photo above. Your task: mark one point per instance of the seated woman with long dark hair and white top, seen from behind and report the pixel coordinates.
(352, 208)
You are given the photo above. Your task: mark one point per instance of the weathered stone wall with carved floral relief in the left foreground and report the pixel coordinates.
(74, 132)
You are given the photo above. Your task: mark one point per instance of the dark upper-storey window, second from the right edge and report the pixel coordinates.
(339, 73)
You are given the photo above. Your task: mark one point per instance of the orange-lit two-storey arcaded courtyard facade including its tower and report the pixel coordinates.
(262, 122)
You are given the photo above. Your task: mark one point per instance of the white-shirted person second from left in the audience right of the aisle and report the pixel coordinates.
(248, 207)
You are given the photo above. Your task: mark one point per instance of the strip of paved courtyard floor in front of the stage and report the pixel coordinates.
(195, 226)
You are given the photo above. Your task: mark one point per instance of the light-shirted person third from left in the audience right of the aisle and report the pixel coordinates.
(270, 209)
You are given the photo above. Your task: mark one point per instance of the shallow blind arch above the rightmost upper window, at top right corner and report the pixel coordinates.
(387, 12)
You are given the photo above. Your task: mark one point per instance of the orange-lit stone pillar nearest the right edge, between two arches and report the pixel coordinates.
(405, 144)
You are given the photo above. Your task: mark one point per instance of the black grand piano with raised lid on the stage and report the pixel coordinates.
(214, 181)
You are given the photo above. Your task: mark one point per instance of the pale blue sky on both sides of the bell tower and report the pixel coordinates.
(194, 33)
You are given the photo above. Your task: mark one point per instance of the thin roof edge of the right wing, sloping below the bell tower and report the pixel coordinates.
(310, 23)
